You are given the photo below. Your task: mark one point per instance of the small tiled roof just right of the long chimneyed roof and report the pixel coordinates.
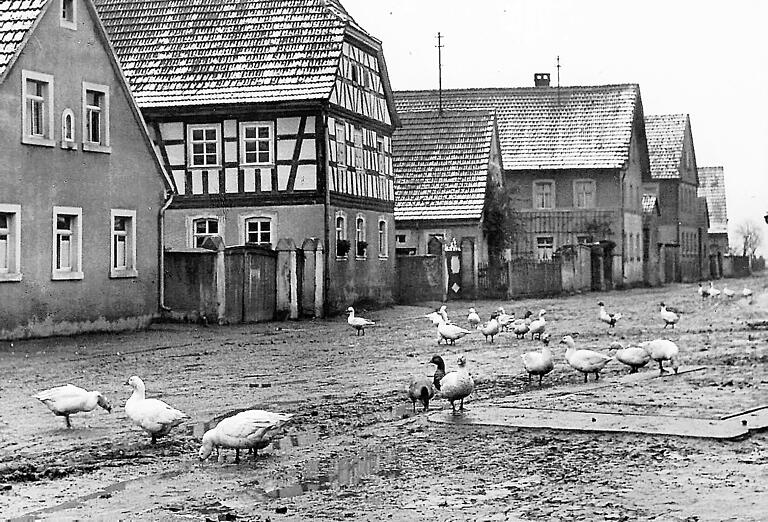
(665, 135)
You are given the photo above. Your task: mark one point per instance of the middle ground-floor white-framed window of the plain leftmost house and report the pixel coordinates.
(67, 258)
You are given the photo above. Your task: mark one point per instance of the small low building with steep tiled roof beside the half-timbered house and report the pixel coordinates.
(447, 167)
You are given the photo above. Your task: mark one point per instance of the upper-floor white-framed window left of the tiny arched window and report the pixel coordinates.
(37, 110)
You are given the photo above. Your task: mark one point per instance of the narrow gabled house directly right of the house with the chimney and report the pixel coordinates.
(674, 180)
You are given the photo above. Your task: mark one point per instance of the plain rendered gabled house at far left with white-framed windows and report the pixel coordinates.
(80, 185)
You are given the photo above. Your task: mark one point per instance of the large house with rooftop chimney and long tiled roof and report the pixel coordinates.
(576, 157)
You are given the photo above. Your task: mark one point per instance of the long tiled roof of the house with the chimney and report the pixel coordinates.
(547, 127)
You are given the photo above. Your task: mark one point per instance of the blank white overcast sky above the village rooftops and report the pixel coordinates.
(705, 58)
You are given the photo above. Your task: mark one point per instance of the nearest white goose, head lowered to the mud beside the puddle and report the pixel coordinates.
(250, 429)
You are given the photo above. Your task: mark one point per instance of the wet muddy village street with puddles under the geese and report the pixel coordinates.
(356, 452)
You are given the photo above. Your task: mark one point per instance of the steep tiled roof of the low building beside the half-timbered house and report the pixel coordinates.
(441, 164)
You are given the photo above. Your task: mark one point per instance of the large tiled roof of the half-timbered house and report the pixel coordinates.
(183, 52)
